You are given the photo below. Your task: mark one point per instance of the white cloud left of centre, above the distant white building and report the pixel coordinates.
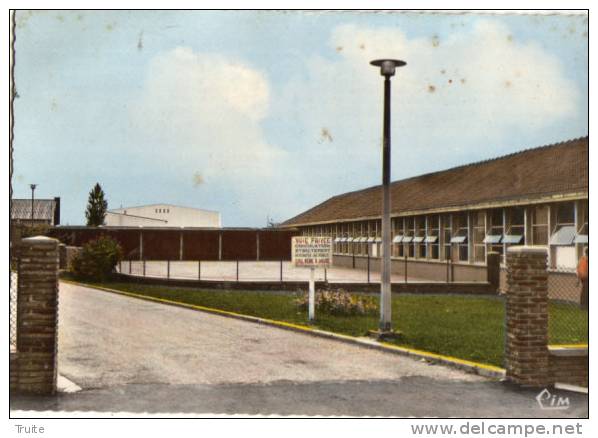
(203, 112)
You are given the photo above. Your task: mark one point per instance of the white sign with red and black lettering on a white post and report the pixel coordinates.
(312, 252)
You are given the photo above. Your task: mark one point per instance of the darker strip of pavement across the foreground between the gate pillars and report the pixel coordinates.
(410, 396)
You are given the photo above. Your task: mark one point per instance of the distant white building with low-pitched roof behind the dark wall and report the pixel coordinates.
(162, 215)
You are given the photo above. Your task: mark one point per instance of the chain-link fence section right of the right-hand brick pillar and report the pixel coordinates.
(568, 307)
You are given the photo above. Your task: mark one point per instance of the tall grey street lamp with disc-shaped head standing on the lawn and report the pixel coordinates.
(387, 69)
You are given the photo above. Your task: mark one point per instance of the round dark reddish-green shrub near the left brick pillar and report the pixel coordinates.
(96, 260)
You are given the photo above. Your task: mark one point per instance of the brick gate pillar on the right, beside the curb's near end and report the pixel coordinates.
(526, 349)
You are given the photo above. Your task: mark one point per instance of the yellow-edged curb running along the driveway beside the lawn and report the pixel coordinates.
(481, 369)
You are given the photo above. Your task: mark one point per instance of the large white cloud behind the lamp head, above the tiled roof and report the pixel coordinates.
(457, 91)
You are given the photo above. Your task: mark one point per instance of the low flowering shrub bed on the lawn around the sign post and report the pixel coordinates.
(339, 303)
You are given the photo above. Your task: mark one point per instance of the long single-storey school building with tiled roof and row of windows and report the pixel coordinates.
(535, 197)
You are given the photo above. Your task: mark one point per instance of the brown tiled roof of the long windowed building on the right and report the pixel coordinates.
(555, 169)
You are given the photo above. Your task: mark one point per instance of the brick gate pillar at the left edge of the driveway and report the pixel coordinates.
(37, 315)
